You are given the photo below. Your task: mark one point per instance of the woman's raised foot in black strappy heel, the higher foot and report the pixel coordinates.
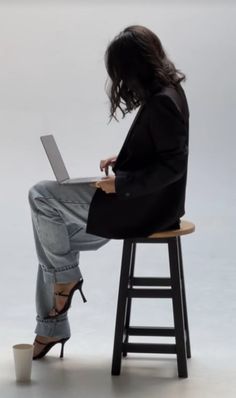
(60, 300)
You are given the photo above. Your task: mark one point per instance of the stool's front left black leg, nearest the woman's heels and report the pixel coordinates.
(121, 307)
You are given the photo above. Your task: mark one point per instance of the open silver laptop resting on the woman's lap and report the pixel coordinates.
(58, 164)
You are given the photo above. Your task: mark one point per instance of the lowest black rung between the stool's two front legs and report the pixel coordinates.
(146, 348)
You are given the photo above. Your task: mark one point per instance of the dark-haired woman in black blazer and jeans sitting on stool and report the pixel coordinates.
(145, 194)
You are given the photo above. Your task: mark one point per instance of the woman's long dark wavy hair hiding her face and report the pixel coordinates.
(137, 64)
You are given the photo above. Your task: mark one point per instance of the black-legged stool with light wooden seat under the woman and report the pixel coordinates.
(172, 288)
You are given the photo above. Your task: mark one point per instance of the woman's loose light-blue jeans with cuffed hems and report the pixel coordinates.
(59, 217)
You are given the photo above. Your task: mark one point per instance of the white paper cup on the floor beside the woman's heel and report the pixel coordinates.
(23, 354)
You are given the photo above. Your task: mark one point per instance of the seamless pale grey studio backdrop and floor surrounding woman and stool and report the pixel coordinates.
(46, 85)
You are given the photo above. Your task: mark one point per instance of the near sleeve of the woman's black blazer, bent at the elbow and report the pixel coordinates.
(169, 134)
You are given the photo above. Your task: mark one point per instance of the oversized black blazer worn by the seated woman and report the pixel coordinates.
(151, 172)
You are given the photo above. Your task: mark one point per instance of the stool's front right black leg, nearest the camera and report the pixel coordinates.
(177, 308)
